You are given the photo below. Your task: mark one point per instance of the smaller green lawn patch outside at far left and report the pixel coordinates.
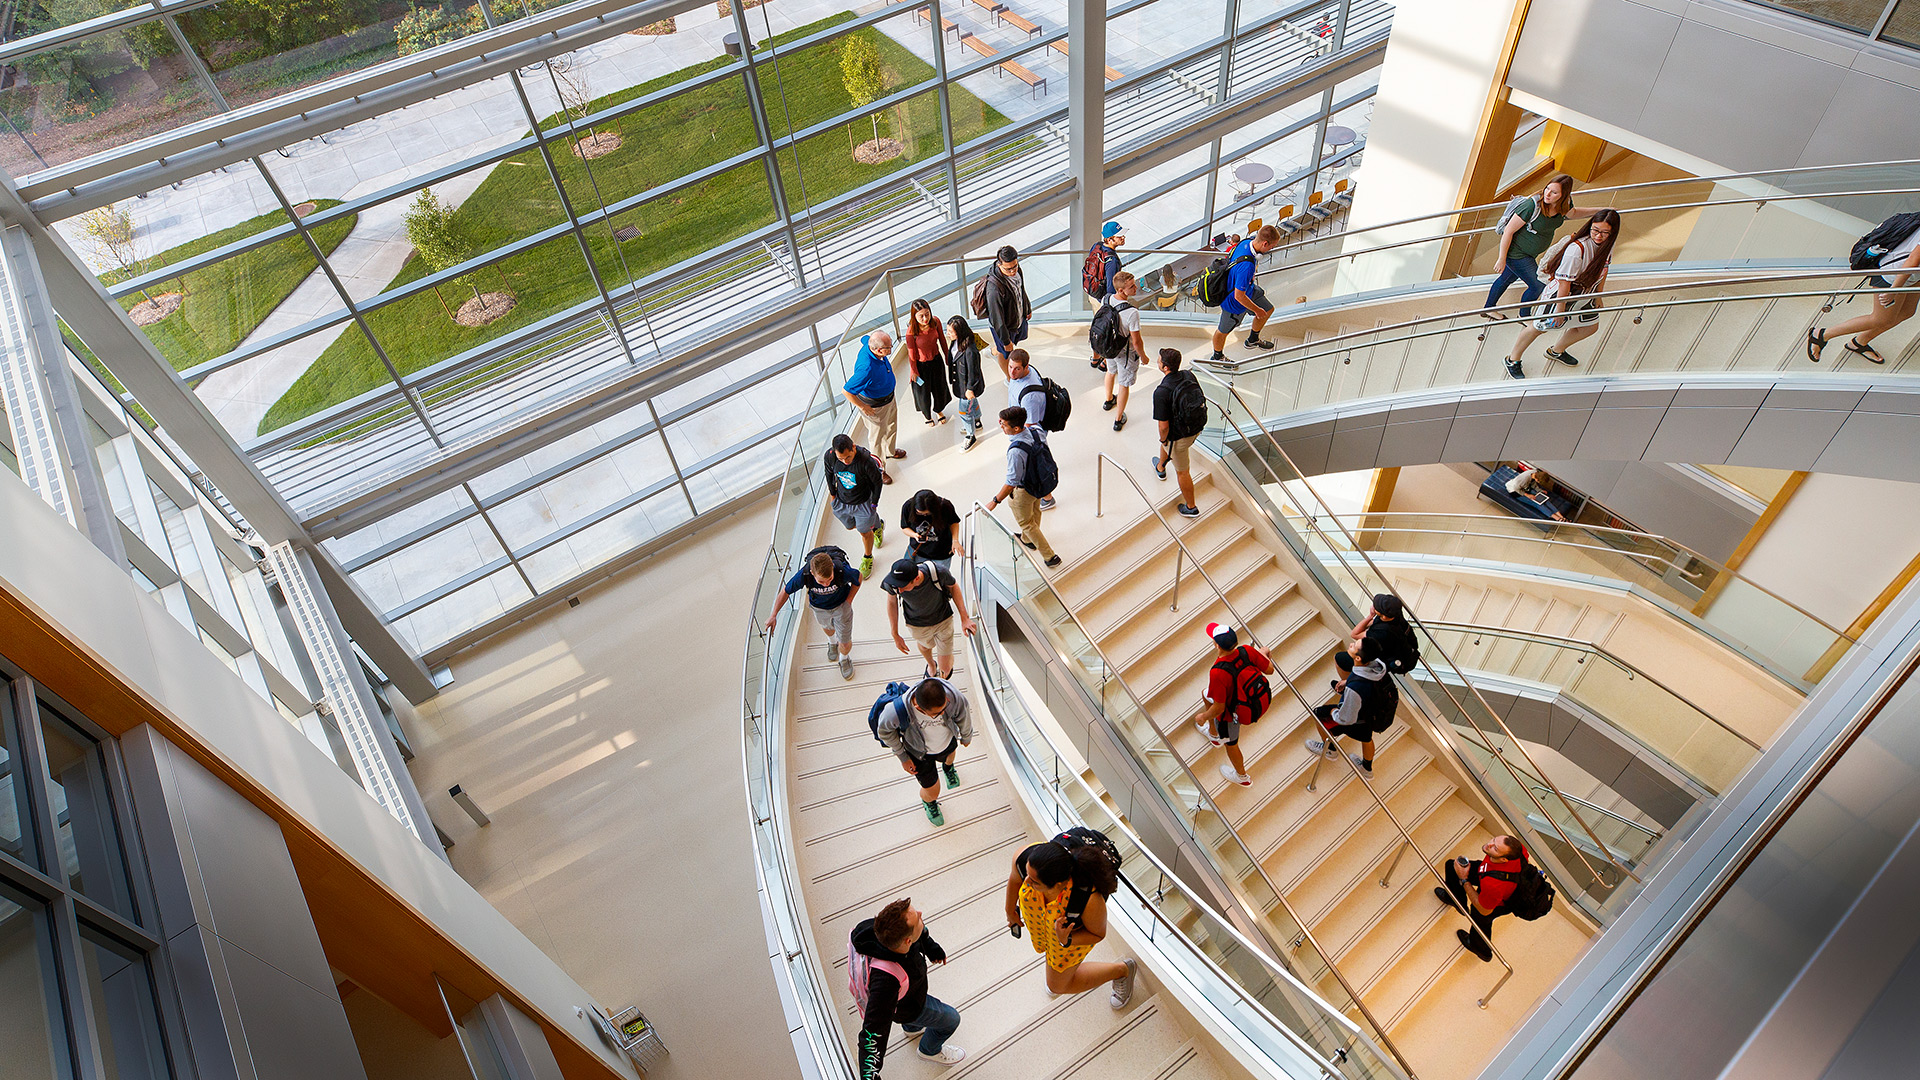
(231, 297)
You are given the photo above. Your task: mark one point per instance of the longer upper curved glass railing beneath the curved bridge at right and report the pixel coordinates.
(1771, 631)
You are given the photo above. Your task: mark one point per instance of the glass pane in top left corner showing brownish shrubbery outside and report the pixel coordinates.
(99, 93)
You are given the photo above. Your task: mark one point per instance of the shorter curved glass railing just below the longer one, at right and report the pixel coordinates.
(1654, 716)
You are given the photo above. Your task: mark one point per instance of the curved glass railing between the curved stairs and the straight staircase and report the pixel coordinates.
(1253, 981)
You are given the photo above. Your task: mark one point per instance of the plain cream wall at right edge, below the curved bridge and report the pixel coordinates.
(1838, 543)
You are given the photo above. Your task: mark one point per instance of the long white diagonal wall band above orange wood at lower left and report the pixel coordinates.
(70, 583)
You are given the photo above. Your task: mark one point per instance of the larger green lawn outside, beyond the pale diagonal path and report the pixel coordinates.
(661, 143)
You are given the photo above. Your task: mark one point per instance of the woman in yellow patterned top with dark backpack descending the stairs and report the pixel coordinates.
(1047, 883)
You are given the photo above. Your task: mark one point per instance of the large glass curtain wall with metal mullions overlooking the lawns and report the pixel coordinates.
(569, 237)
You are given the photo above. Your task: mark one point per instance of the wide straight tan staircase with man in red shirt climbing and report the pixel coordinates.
(1330, 848)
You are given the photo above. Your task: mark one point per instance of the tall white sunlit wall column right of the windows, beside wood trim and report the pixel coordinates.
(1439, 70)
